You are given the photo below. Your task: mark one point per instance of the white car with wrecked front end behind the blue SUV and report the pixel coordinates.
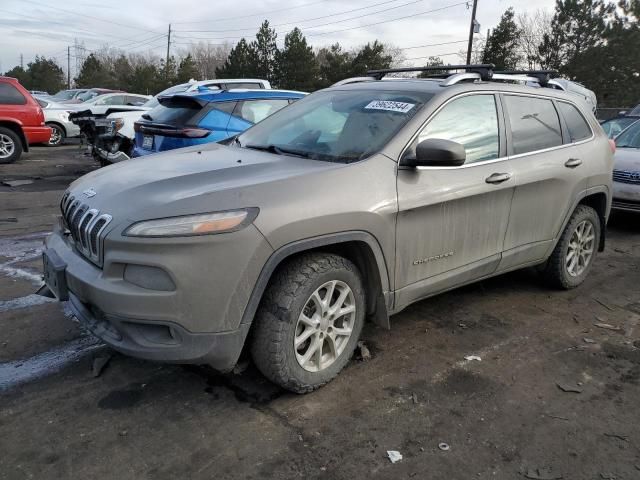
(120, 124)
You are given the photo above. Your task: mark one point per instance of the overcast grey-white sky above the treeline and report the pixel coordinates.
(46, 27)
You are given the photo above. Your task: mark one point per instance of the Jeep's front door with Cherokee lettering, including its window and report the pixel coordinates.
(452, 220)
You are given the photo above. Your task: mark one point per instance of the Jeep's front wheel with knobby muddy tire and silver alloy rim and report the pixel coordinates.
(309, 321)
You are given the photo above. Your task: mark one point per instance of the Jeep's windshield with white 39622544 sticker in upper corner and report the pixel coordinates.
(336, 125)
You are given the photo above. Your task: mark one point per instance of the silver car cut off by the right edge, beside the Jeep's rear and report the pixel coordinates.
(626, 170)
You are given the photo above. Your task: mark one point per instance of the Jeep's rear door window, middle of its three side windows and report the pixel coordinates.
(534, 123)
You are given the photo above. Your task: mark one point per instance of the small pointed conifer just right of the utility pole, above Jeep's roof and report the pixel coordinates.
(501, 47)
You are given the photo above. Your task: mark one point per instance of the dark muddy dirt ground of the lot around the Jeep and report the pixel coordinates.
(504, 417)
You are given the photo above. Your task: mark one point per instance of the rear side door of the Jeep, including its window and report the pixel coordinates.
(549, 171)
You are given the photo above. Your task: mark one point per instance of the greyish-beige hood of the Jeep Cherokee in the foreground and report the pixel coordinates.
(191, 180)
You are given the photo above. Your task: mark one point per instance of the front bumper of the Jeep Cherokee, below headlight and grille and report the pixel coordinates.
(198, 321)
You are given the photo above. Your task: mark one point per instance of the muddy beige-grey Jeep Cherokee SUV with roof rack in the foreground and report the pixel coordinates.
(351, 203)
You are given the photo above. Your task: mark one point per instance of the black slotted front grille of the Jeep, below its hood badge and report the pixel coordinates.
(86, 226)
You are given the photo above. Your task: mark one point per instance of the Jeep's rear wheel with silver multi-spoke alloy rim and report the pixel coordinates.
(571, 260)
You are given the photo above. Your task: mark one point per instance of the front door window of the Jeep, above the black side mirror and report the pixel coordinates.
(471, 121)
